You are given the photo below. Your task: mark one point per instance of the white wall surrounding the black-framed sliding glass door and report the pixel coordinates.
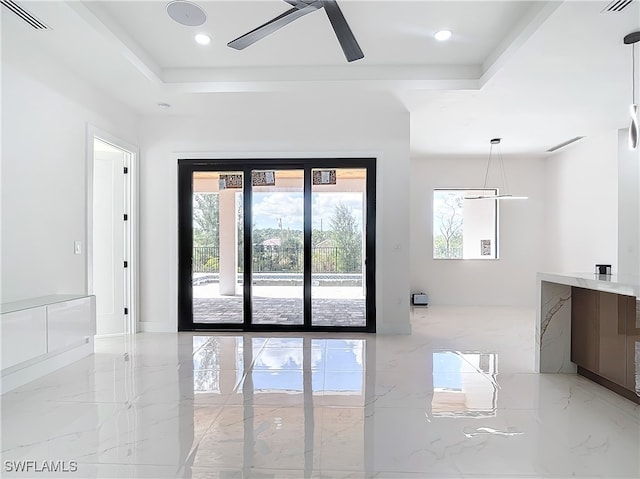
(277, 125)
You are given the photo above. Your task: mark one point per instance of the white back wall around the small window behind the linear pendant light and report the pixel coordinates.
(509, 280)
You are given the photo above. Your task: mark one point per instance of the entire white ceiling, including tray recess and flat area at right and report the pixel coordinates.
(534, 73)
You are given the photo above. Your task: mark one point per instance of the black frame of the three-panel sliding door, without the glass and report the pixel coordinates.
(186, 169)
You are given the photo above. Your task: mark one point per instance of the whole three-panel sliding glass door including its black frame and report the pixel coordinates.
(277, 244)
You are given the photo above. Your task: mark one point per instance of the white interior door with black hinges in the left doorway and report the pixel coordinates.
(109, 238)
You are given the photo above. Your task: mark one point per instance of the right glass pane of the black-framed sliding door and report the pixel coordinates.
(338, 212)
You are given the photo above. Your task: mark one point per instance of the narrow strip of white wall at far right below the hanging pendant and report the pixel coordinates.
(628, 207)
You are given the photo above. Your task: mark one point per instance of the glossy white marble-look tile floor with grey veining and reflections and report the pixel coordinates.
(457, 398)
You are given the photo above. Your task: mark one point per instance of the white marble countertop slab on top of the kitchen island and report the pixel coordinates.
(610, 283)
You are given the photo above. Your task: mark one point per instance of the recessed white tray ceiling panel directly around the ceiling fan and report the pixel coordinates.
(390, 32)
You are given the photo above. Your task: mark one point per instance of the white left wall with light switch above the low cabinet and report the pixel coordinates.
(45, 111)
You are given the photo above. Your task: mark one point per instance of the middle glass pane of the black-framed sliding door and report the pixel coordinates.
(277, 219)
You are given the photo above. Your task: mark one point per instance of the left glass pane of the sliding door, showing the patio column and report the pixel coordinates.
(216, 270)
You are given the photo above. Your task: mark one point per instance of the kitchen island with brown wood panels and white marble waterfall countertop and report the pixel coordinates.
(590, 324)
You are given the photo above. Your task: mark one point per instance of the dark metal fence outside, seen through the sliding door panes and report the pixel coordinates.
(273, 259)
